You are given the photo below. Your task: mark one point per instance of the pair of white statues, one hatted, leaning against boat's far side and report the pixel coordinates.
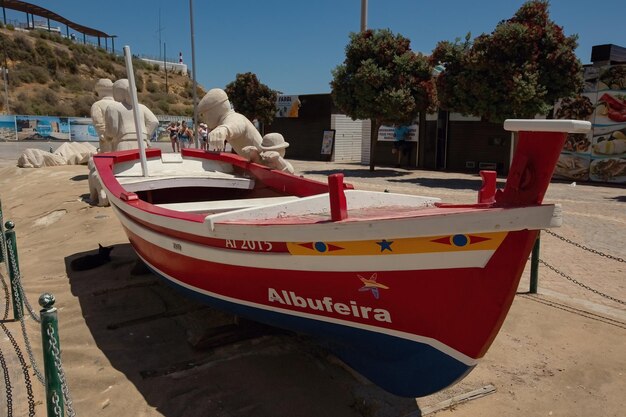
(227, 125)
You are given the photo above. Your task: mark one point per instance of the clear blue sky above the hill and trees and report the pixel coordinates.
(293, 46)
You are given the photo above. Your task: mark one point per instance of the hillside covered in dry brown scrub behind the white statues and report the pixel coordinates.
(52, 75)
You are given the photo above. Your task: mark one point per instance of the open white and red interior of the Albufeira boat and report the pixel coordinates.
(210, 187)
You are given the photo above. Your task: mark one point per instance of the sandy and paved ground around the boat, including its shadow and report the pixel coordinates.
(134, 347)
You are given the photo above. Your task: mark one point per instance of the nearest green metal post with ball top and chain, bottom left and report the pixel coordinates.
(51, 351)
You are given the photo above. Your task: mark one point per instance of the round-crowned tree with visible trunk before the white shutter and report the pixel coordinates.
(382, 79)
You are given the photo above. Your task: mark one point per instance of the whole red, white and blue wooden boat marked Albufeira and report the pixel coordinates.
(407, 290)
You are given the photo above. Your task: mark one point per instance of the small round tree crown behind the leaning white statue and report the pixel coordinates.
(252, 98)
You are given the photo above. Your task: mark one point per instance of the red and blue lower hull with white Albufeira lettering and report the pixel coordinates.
(412, 332)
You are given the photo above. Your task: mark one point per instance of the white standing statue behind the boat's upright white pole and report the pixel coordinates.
(120, 122)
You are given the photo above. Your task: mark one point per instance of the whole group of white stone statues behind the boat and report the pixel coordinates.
(114, 122)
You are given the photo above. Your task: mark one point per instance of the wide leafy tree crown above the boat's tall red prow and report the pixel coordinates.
(519, 70)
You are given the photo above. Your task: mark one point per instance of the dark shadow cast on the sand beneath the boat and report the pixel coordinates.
(187, 359)
